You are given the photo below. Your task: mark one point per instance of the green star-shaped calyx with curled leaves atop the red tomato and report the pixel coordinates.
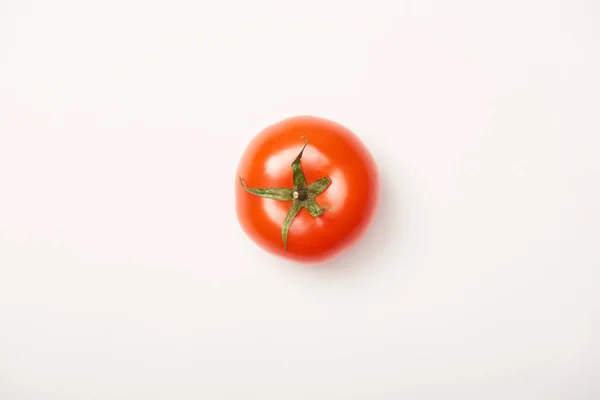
(301, 194)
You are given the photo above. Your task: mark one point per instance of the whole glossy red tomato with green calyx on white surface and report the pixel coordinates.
(306, 189)
